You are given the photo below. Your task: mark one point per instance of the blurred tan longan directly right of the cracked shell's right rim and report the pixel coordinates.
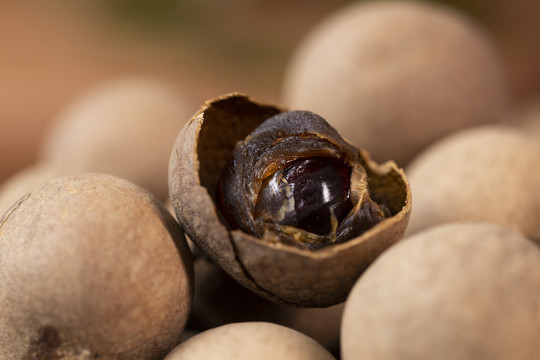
(487, 173)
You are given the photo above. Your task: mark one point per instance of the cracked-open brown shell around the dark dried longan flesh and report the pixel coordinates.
(278, 272)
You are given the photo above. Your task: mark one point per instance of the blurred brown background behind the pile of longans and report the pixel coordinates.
(51, 52)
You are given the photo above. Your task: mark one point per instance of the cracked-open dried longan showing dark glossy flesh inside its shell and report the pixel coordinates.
(294, 261)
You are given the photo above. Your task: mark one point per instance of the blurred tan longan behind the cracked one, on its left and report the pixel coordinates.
(124, 127)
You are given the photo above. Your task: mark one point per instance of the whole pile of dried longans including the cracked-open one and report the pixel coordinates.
(254, 232)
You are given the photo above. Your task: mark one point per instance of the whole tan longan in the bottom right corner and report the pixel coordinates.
(464, 291)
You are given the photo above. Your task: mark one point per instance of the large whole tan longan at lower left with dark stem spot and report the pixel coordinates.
(92, 266)
